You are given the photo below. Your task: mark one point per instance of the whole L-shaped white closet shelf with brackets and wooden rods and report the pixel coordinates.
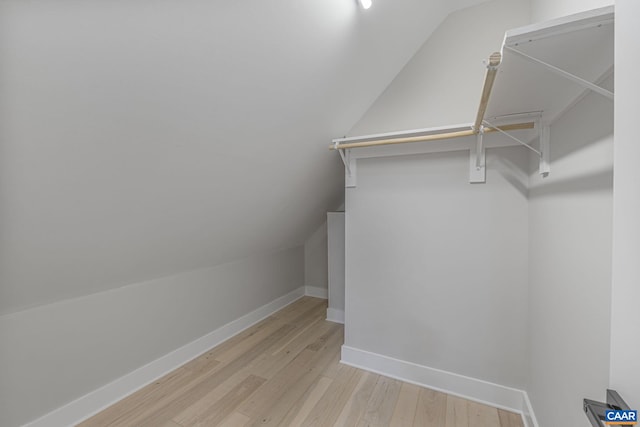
(545, 69)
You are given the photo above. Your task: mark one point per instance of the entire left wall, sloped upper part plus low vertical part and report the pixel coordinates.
(163, 162)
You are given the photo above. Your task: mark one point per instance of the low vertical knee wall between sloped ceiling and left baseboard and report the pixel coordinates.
(53, 354)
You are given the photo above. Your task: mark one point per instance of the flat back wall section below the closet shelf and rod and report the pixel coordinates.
(436, 268)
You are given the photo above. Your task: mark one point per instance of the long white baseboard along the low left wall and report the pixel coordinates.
(94, 402)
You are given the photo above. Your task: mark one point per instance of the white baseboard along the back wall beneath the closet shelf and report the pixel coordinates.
(481, 391)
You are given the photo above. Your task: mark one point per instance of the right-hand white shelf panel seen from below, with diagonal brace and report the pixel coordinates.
(580, 44)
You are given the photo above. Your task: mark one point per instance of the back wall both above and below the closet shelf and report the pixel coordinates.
(436, 268)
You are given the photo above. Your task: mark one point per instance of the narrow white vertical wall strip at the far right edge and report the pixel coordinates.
(625, 315)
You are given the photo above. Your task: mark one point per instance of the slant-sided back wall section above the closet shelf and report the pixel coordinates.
(442, 83)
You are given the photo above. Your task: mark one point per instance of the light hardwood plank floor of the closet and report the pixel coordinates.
(285, 371)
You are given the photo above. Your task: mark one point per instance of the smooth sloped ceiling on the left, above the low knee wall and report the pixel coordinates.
(140, 139)
